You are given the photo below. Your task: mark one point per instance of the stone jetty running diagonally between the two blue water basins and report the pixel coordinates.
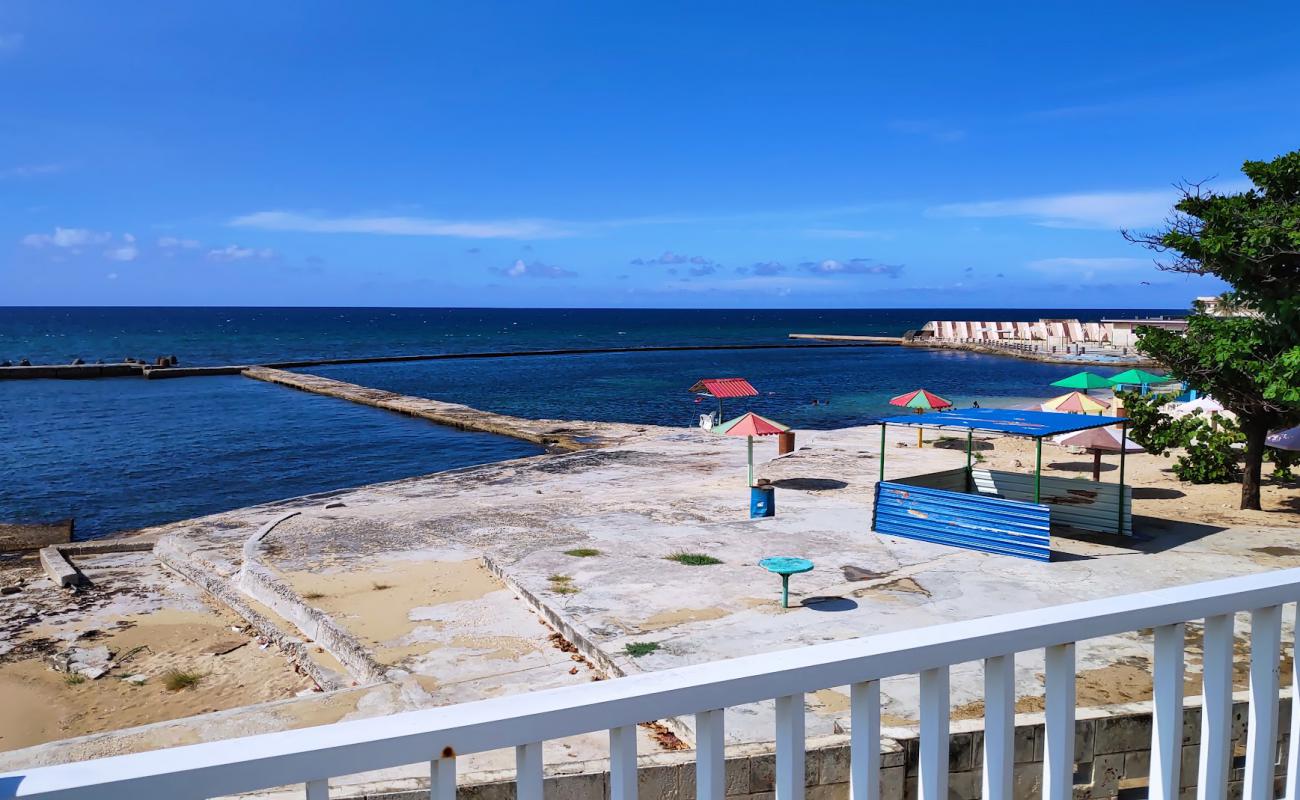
(561, 436)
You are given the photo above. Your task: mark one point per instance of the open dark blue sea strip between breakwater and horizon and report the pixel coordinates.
(242, 336)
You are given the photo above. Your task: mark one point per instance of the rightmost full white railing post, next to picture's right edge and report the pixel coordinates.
(1262, 737)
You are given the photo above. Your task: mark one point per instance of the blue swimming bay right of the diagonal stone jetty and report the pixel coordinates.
(813, 388)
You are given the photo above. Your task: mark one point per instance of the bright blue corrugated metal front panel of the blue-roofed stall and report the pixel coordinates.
(976, 522)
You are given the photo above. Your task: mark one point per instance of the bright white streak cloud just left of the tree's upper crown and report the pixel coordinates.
(1087, 210)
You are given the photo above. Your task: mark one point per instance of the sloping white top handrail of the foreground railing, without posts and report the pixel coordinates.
(344, 749)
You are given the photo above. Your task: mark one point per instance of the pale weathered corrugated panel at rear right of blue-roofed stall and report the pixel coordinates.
(1077, 503)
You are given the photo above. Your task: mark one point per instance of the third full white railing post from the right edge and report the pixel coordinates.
(1167, 729)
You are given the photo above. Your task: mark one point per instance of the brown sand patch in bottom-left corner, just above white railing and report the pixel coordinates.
(41, 706)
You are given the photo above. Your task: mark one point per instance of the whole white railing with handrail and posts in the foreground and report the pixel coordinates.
(314, 756)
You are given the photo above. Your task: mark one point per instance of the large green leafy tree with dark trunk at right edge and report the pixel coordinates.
(1247, 353)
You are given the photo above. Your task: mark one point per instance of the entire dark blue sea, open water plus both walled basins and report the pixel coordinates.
(125, 453)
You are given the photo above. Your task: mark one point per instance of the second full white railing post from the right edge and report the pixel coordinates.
(1216, 710)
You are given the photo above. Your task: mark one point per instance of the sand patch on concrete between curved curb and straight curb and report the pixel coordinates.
(376, 603)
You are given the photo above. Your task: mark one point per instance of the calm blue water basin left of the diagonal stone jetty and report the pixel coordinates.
(120, 455)
